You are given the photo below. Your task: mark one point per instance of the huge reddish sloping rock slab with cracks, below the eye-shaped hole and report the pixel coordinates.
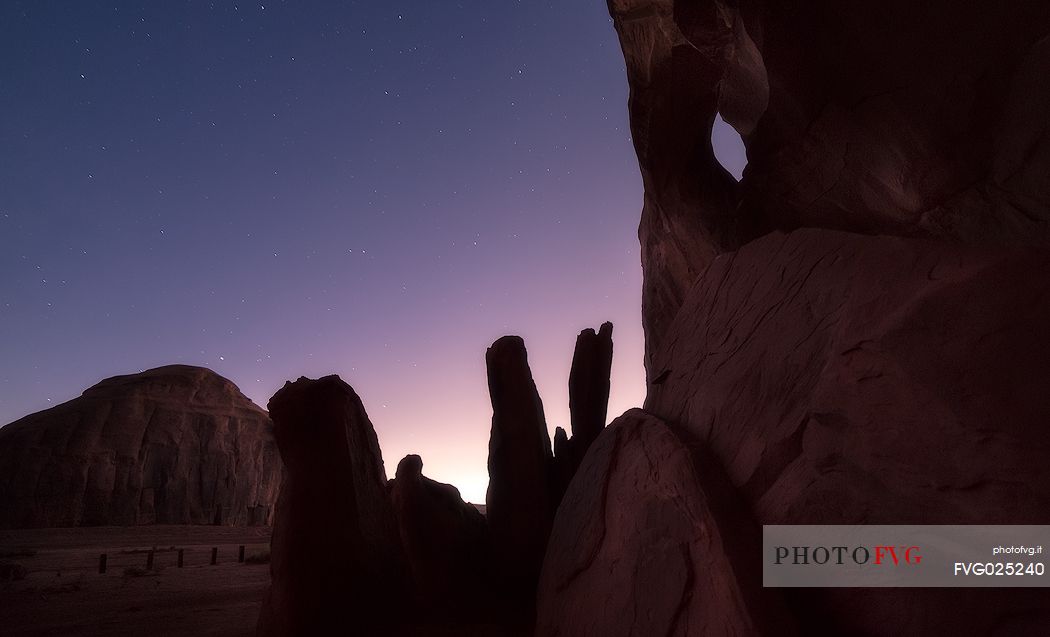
(849, 379)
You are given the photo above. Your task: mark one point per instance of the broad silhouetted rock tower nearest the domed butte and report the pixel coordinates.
(335, 564)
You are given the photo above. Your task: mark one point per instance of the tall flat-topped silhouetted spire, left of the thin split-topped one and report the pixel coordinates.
(520, 465)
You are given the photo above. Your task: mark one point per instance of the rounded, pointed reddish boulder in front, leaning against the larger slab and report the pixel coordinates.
(648, 542)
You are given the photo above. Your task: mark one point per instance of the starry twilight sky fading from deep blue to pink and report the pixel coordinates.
(274, 190)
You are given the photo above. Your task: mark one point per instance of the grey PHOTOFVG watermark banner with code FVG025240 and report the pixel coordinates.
(906, 556)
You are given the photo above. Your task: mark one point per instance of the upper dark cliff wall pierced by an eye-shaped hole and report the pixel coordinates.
(896, 118)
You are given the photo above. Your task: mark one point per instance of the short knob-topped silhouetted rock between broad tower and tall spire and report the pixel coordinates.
(445, 541)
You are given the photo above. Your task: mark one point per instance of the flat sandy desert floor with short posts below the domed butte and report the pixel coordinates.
(65, 594)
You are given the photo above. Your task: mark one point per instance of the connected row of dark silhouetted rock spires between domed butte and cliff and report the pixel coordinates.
(410, 557)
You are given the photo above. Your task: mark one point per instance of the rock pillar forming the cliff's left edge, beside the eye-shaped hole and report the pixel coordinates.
(688, 214)
